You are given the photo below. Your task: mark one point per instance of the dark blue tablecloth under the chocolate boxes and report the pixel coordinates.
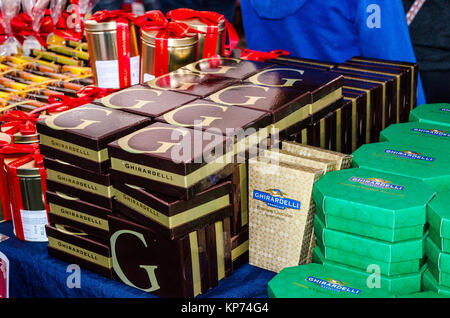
(33, 273)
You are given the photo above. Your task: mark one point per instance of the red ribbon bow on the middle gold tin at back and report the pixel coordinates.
(165, 30)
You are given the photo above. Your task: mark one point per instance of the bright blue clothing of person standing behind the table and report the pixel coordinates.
(332, 30)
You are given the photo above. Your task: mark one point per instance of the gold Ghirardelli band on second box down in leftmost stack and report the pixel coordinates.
(92, 187)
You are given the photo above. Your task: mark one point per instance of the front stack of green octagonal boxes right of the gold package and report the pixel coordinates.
(372, 224)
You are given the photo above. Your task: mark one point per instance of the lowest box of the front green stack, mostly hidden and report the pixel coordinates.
(396, 285)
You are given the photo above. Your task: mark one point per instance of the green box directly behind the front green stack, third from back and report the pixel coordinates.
(428, 165)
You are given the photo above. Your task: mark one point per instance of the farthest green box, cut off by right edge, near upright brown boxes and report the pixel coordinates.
(437, 114)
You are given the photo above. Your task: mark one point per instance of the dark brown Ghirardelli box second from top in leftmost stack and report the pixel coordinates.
(77, 182)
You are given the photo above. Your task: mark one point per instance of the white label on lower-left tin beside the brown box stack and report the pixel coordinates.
(33, 224)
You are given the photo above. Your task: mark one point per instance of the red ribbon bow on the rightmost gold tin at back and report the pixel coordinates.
(212, 19)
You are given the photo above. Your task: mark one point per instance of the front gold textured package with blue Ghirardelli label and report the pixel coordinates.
(281, 213)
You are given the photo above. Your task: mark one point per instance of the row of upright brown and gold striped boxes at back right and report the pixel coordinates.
(376, 94)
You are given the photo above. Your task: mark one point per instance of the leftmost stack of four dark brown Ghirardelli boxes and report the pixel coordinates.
(79, 194)
